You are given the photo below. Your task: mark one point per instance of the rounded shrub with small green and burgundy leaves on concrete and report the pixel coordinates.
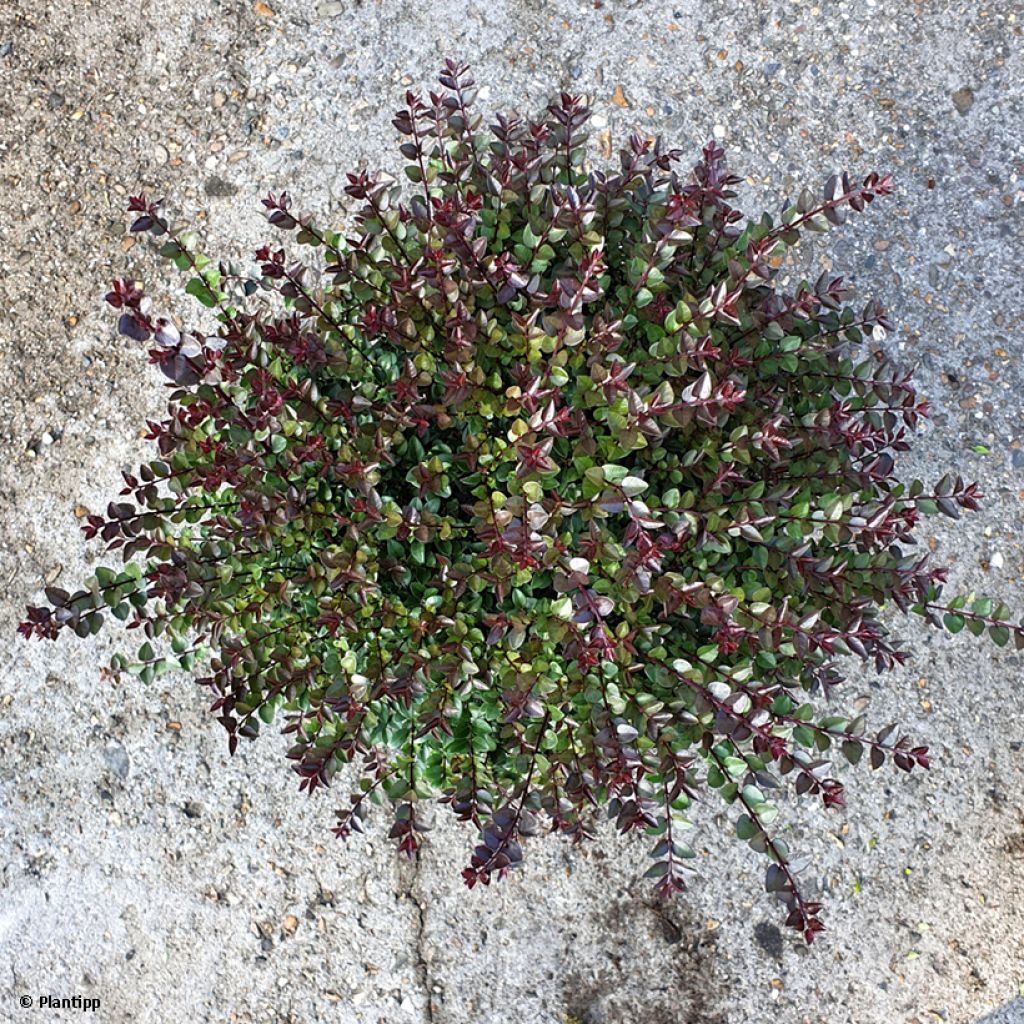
(539, 496)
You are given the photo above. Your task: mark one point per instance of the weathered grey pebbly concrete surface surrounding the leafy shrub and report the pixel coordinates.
(142, 867)
